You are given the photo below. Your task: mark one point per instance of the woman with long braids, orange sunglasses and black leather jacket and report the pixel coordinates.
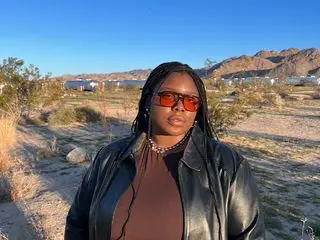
(170, 179)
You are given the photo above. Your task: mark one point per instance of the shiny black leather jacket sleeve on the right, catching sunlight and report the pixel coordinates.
(245, 220)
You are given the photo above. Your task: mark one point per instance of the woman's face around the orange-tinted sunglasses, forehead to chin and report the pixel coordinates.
(175, 120)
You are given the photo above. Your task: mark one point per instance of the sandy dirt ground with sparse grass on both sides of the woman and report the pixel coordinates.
(283, 148)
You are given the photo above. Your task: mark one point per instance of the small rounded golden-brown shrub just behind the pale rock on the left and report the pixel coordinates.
(63, 116)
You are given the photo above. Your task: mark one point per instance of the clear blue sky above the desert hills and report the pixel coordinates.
(108, 36)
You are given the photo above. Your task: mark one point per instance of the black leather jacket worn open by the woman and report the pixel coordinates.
(229, 209)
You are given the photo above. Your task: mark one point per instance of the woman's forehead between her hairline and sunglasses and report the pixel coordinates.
(180, 83)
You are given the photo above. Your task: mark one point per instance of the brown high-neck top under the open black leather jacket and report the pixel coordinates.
(156, 209)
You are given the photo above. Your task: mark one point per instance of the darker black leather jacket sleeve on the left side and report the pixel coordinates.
(77, 219)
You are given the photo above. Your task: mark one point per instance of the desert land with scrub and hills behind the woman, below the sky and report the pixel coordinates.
(49, 135)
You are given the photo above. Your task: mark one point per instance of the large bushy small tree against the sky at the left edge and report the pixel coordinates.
(24, 88)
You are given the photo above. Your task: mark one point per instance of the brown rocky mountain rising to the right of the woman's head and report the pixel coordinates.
(288, 62)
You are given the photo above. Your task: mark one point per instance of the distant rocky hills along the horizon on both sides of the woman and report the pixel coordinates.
(284, 63)
